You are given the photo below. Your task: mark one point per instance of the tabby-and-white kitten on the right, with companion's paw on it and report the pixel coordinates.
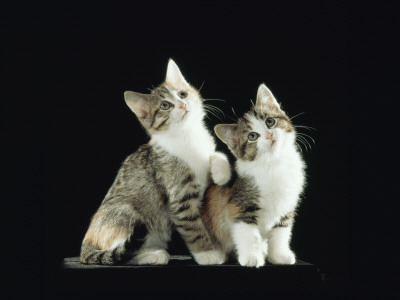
(253, 216)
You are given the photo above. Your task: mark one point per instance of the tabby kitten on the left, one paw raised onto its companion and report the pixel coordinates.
(160, 185)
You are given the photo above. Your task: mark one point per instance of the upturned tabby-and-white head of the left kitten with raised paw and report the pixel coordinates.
(173, 104)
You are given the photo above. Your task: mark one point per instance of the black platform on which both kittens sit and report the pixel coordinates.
(211, 281)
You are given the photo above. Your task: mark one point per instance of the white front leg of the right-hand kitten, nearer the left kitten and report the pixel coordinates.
(249, 244)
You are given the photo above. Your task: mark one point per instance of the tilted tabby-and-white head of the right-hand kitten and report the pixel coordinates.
(265, 129)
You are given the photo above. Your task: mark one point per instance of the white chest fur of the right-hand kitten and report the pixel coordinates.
(280, 181)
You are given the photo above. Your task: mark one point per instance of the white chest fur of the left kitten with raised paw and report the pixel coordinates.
(193, 146)
